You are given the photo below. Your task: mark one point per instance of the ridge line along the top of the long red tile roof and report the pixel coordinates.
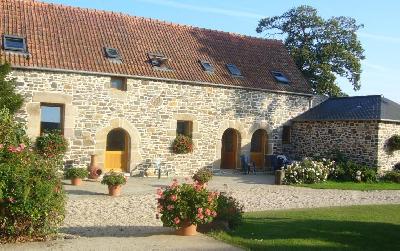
(155, 20)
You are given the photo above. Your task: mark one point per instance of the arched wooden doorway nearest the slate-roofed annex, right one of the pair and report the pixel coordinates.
(259, 148)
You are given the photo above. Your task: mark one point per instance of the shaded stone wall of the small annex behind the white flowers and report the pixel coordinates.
(358, 140)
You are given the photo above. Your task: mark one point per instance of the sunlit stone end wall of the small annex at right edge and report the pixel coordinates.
(387, 159)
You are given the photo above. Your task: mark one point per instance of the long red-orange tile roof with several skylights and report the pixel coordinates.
(71, 38)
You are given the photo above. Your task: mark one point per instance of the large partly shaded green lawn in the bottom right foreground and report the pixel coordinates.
(374, 227)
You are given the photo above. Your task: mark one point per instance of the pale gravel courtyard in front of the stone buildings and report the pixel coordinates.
(94, 216)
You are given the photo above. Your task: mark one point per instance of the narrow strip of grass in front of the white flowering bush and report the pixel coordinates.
(353, 185)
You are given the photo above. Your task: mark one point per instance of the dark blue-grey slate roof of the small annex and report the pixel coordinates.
(373, 107)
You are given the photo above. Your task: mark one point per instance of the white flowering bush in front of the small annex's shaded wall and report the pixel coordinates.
(308, 171)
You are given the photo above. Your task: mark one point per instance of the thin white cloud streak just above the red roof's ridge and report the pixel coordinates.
(220, 11)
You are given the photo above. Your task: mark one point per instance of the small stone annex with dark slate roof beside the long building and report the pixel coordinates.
(358, 127)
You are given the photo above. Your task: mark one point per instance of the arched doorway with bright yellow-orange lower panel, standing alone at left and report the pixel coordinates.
(117, 151)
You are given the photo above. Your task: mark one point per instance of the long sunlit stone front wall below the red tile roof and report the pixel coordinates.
(148, 111)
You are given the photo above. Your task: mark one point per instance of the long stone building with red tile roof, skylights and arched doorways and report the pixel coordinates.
(123, 87)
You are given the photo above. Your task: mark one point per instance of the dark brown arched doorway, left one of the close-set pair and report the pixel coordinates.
(230, 149)
